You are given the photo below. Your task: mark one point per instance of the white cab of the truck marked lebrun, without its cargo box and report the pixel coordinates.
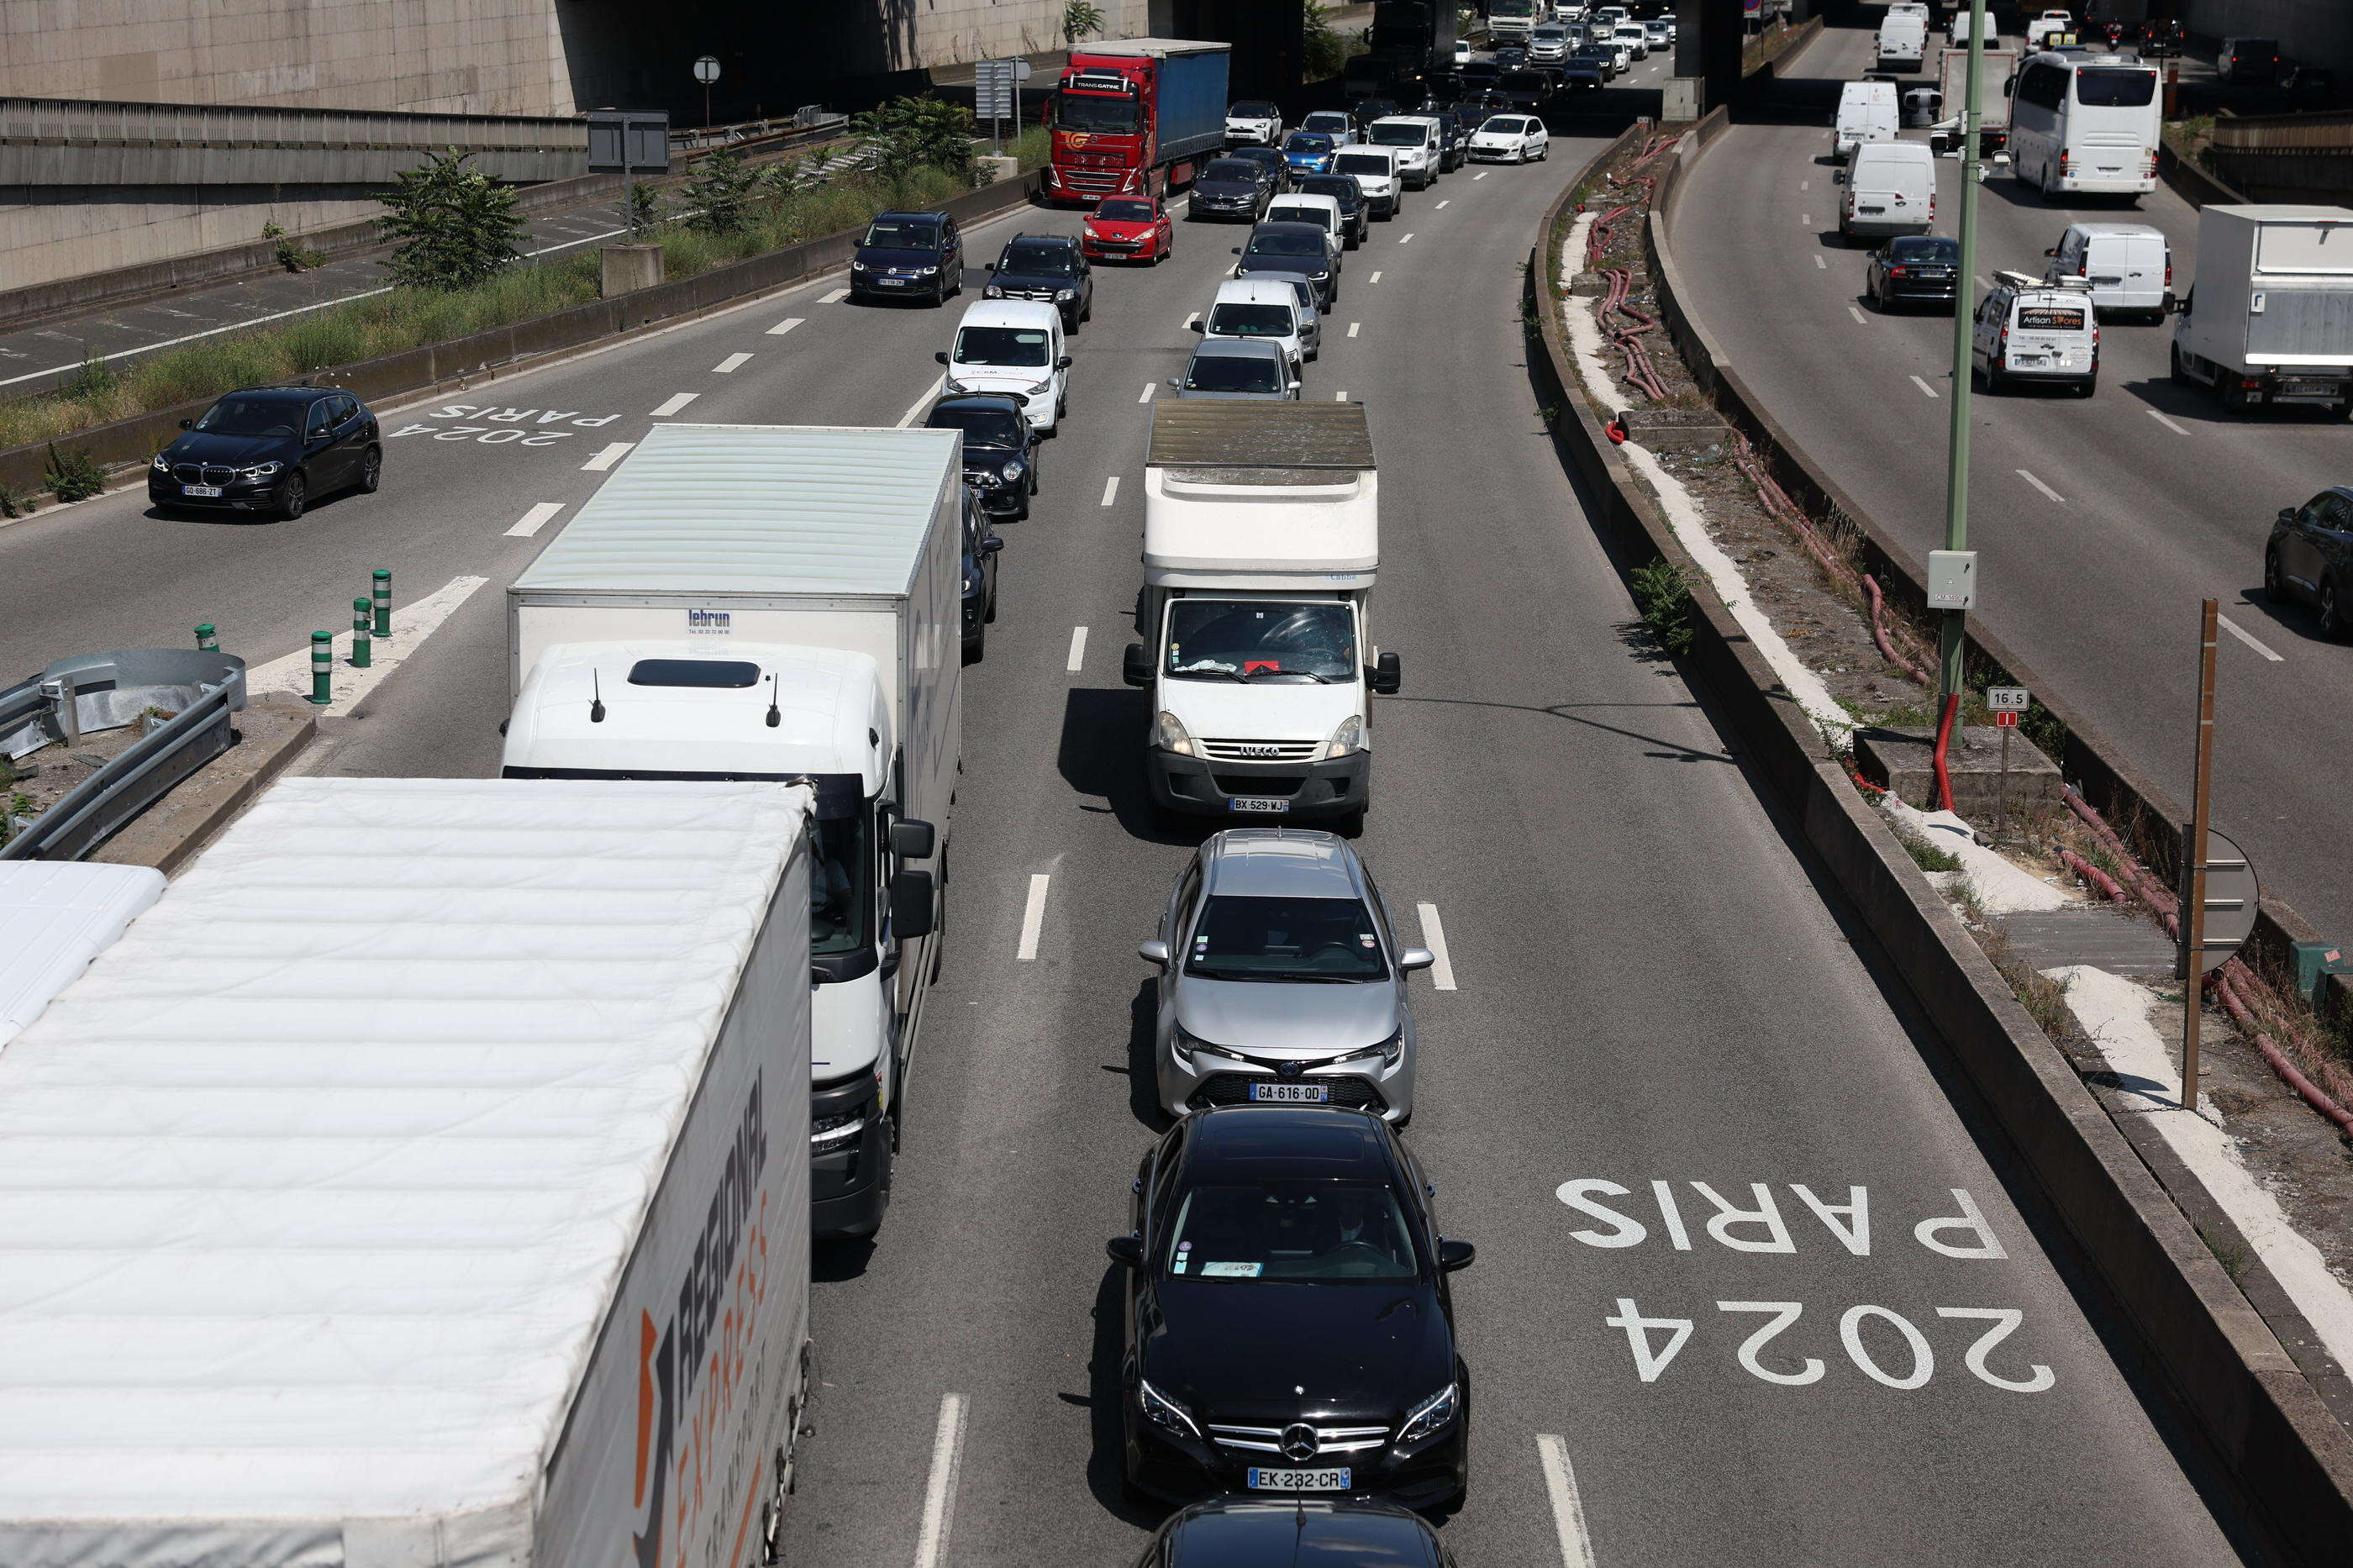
(658, 710)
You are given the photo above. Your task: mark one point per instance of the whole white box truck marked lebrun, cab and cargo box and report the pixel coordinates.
(754, 602)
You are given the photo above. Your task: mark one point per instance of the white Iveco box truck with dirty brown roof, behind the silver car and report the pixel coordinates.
(1262, 538)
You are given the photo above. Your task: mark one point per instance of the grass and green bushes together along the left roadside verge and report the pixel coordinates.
(458, 270)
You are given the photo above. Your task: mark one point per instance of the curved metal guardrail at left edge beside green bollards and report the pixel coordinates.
(112, 691)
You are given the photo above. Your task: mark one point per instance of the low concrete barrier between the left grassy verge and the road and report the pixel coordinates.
(514, 347)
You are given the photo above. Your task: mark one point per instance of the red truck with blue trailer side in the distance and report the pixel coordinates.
(1131, 117)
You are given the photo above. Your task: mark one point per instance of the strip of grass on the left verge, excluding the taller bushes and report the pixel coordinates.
(408, 319)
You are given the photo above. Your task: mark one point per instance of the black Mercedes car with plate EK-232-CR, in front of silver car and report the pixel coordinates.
(1288, 1322)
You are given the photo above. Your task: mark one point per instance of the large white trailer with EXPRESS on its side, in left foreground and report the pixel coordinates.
(415, 1185)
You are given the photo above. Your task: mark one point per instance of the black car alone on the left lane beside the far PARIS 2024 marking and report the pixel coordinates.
(269, 449)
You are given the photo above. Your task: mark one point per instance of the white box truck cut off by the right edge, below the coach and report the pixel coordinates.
(2269, 317)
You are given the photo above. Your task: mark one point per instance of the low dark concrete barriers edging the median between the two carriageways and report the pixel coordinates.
(2197, 1329)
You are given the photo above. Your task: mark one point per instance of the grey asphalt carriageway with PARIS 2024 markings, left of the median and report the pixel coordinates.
(1822, 1327)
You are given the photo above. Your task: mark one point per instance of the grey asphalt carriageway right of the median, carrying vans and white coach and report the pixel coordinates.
(2100, 521)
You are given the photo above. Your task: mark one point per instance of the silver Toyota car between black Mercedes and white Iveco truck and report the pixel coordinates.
(1284, 981)
